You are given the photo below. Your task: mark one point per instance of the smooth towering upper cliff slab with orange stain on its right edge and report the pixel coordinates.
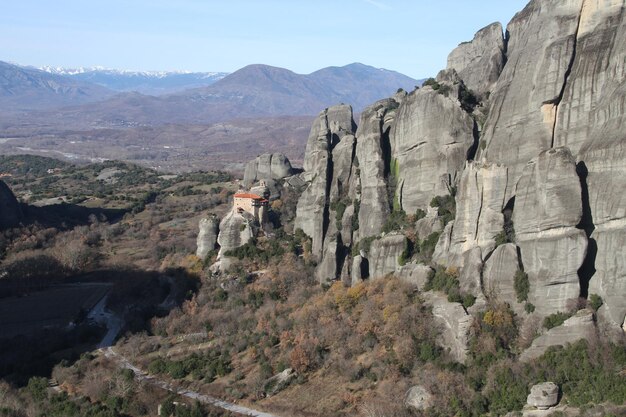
(541, 48)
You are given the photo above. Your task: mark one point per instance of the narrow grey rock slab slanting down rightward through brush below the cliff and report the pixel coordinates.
(454, 324)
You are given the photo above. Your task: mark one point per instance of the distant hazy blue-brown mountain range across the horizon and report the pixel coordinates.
(105, 98)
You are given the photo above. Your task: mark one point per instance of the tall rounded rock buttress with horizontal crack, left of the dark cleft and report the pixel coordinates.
(548, 206)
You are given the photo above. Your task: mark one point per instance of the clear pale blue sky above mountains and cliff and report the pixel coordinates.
(410, 36)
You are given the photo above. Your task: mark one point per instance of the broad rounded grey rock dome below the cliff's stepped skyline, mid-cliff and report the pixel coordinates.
(429, 143)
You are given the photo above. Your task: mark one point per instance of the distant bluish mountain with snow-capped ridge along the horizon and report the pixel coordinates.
(145, 82)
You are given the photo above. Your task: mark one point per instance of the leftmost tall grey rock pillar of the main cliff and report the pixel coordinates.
(312, 211)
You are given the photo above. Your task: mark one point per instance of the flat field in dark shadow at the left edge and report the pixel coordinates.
(53, 308)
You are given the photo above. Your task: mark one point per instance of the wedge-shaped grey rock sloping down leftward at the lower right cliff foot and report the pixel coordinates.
(578, 327)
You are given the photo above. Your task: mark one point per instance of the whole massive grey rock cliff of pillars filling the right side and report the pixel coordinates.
(524, 131)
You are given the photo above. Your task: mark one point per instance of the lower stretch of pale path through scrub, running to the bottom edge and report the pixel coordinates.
(206, 399)
